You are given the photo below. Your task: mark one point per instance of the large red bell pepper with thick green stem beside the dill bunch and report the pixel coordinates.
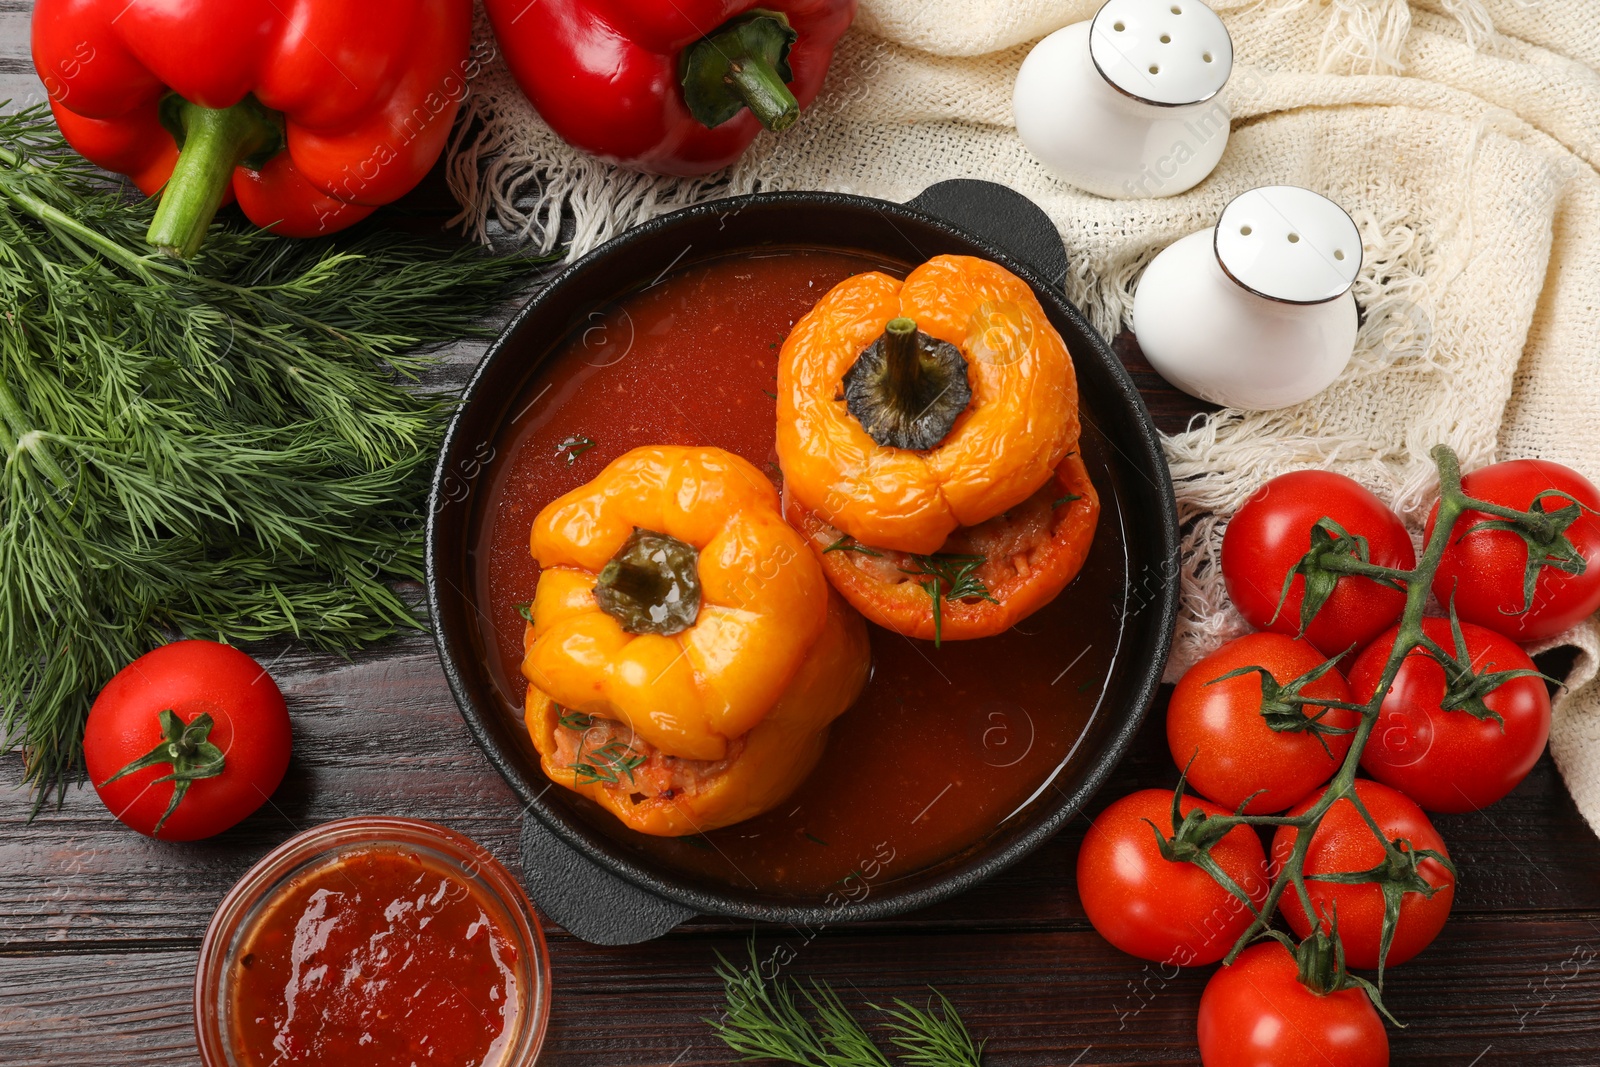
(311, 113)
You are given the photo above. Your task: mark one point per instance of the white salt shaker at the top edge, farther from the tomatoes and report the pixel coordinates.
(1127, 105)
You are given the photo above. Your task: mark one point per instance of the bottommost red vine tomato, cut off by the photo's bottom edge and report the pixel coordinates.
(1257, 1013)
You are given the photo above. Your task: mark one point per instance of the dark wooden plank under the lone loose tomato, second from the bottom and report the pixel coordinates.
(380, 735)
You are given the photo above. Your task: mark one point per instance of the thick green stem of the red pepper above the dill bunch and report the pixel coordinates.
(214, 145)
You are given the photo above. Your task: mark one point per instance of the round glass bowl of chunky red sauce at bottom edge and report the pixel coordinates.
(385, 943)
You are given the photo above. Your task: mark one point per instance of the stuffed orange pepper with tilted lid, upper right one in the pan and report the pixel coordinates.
(929, 431)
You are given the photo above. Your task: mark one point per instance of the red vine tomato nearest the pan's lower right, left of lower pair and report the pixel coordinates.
(1161, 909)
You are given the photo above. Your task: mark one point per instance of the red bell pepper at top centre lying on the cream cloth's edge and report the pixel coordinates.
(674, 89)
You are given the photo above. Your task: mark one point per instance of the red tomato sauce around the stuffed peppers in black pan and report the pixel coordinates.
(945, 745)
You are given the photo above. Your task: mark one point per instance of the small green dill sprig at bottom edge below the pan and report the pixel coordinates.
(766, 1018)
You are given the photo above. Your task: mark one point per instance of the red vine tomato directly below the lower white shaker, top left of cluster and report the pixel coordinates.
(1271, 535)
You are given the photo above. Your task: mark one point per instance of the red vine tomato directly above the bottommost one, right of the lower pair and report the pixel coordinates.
(1345, 844)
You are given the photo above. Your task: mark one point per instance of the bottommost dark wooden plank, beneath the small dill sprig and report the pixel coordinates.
(1058, 997)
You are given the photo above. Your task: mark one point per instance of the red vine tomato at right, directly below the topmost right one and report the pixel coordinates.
(1438, 738)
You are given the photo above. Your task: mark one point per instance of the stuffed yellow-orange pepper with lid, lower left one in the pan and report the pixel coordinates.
(686, 655)
